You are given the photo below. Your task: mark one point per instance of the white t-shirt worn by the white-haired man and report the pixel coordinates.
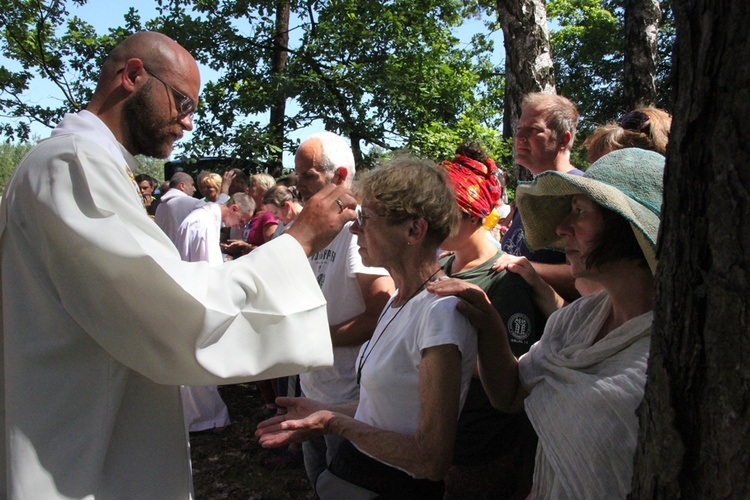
(336, 268)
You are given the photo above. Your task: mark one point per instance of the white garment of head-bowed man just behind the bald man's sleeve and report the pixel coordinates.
(198, 236)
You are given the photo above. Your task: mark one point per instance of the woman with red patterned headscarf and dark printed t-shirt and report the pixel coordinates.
(493, 455)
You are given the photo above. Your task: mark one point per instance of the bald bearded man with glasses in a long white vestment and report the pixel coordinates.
(102, 320)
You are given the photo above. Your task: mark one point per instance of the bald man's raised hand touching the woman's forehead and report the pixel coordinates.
(323, 217)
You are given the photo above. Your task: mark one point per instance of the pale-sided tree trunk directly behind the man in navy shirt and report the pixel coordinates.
(528, 62)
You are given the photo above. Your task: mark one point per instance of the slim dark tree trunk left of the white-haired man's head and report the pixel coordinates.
(278, 66)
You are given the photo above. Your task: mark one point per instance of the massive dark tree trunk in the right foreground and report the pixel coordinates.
(695, 417)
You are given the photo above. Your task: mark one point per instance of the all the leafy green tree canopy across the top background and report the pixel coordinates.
(388, 75)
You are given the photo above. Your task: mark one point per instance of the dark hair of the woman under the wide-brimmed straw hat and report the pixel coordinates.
(616, 242)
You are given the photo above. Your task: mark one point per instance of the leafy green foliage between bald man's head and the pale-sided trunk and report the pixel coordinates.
(371, 71)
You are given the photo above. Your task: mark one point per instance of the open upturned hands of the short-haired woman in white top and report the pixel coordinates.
(304, 419)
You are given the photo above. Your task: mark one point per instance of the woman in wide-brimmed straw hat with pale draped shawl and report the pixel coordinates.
(582, 382)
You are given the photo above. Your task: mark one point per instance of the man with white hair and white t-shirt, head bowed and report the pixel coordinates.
(355, 294)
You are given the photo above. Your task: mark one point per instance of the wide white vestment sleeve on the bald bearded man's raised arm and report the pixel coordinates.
(79, 232)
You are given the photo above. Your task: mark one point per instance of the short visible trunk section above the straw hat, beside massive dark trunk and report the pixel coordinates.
(642, 19)
